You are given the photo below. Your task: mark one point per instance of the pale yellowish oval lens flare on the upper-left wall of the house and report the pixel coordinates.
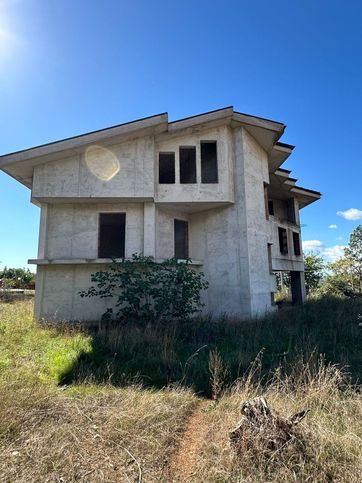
(102, 162)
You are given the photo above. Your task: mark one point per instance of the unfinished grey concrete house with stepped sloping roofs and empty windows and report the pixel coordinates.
(209, 188)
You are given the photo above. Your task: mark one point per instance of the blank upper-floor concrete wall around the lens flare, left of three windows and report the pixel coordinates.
(72, 178)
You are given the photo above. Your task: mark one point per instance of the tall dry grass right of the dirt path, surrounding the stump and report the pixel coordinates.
(330, 445)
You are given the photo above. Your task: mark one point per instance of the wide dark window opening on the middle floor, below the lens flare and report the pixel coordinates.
(112, 231)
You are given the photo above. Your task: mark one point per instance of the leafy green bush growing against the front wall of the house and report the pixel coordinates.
(149, 291)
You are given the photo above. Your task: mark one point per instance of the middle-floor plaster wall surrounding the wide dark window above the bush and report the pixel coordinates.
(73, 229)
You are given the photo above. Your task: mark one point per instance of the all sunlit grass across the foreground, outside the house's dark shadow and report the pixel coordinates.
(99, 433)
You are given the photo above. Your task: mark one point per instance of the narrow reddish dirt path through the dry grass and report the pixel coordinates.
(183, 462)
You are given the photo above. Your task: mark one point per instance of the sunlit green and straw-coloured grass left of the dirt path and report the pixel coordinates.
(79, 433)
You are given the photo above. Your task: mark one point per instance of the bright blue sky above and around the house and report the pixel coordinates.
(74, 66)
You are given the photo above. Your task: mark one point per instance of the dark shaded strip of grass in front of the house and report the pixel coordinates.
(184, 354)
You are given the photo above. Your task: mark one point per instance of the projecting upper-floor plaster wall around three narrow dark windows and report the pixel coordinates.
(222, 191)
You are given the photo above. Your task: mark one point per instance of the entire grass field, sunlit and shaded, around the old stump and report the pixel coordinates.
(118, 404)
